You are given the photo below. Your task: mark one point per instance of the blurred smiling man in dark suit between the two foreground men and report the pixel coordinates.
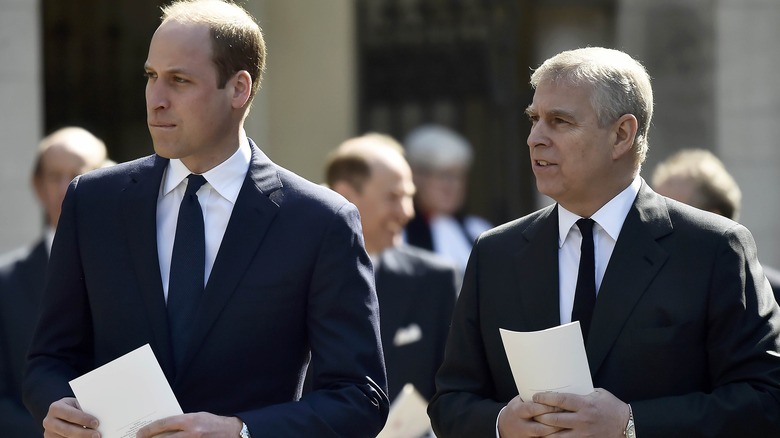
(416, 288)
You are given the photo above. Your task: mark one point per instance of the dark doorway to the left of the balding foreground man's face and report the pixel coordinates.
(94, 53)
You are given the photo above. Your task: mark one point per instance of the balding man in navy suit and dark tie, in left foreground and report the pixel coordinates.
(287, 280)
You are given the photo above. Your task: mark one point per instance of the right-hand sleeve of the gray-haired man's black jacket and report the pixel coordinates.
(742, 350)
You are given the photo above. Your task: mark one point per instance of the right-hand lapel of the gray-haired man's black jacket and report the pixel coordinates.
(634, 263)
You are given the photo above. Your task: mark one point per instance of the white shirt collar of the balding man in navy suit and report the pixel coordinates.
(226, 178)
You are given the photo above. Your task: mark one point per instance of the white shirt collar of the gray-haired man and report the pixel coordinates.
(610, 217)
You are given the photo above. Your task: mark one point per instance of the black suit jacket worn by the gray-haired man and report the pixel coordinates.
(685, 327)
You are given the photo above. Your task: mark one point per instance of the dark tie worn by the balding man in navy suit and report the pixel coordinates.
(188, 264)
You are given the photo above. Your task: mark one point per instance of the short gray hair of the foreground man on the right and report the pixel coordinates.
(620, 85)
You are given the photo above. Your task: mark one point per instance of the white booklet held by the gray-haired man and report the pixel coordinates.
(550, 360)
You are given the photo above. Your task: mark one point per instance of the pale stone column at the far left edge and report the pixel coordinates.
(21, 121)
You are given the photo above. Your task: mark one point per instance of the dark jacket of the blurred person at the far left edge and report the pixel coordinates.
(21, 286)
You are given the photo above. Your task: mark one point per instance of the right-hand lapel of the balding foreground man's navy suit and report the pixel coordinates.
(251, 217)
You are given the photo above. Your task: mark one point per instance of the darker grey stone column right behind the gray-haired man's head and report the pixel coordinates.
(675, 42)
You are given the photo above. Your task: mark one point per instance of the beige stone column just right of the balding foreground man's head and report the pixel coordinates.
(307, 103)
